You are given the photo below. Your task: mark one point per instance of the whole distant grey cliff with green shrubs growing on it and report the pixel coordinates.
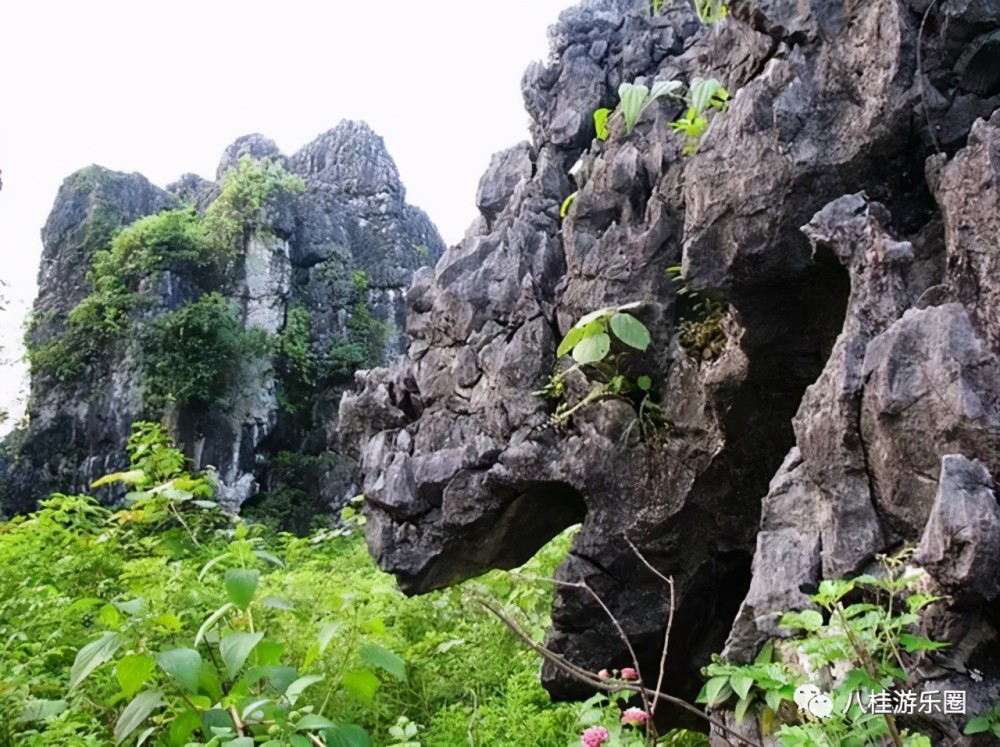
(309, 255)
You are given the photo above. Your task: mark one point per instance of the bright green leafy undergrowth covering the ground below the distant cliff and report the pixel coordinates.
(169, 623)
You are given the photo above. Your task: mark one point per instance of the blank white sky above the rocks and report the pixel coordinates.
(163, 88)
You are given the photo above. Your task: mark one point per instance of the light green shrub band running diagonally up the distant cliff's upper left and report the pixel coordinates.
(176, 240)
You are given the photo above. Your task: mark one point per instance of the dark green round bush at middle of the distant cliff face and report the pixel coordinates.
(189, 355)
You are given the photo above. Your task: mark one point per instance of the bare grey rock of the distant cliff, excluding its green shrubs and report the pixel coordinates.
(352, 217)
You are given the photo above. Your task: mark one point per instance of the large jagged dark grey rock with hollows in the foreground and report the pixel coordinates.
(860, 351)
